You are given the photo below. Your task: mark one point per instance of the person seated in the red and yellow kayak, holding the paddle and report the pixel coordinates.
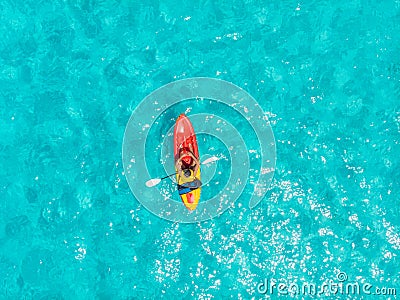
(187, 166)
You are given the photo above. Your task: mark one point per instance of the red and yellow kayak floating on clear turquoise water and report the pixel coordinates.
(185, 140)
